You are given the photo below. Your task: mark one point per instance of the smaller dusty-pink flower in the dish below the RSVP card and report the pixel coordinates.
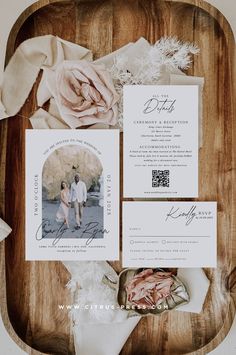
(149, 288)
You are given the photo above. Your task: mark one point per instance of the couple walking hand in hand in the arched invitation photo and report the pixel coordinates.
(76, 196)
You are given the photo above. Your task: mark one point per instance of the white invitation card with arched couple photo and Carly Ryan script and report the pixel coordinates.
(72, 194)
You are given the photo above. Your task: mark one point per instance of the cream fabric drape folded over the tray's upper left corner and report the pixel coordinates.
(30, 57)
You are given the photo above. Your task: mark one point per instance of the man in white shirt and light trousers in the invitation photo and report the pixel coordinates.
(78, 197)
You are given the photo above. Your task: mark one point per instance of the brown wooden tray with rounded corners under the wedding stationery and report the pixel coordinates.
(34, 289)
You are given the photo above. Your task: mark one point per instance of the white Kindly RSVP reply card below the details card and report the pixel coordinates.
(169, 234)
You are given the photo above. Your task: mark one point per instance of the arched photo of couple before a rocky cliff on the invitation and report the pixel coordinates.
(72, 193)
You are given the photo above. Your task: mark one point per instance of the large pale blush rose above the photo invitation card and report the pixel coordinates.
(84, 93)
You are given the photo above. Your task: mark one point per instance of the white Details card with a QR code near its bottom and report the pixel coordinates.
(160, 141)
